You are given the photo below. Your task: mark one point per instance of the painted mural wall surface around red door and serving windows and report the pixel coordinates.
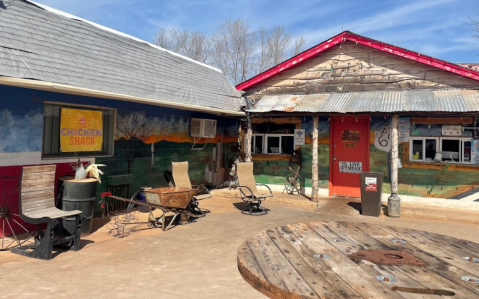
(439, 183)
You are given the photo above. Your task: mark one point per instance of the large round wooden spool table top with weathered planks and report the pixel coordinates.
(313, 260)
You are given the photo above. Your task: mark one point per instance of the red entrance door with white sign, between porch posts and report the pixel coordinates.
(349, 154)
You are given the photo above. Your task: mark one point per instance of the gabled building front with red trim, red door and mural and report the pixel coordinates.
(361, 104)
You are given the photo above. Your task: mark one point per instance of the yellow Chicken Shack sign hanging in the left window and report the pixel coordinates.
(81, 130)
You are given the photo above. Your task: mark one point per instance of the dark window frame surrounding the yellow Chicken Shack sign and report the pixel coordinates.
(108, 141)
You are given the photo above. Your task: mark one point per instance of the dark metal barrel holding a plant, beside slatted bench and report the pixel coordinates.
(79, 195)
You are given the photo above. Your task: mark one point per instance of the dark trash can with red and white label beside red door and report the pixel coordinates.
(371, 190)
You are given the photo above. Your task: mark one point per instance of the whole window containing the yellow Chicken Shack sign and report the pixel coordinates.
(77, 131)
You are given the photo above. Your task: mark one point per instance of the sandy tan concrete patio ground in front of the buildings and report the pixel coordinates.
(197, 260)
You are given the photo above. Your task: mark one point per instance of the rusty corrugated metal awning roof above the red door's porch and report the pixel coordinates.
(450, 100)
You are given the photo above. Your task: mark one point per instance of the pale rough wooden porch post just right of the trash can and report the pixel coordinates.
(394, 202)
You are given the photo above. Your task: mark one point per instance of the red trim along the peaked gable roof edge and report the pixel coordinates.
(349, 36)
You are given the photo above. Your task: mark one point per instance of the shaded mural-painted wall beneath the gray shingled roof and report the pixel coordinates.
(147, 140)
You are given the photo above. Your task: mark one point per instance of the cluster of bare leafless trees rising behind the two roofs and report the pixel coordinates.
(235, 48)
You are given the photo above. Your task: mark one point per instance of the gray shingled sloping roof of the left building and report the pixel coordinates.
(47, 46)
